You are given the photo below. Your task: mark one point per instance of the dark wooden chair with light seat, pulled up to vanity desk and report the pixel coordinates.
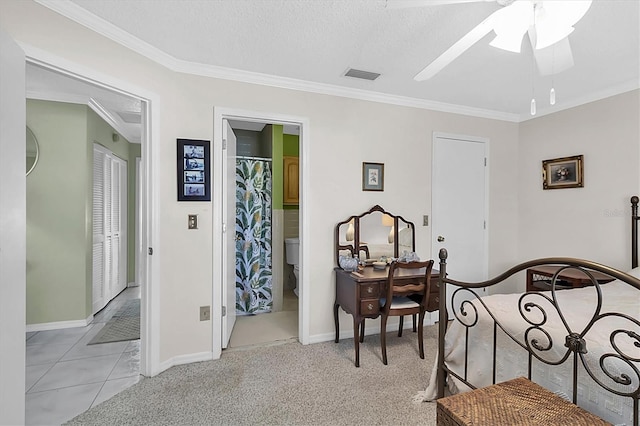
(396, 301)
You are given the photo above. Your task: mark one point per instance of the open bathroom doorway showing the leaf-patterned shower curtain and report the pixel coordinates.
(266, 232)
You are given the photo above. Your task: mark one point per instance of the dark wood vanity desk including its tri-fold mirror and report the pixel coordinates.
(358, 293)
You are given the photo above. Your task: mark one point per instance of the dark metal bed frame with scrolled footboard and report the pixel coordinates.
(537, 341)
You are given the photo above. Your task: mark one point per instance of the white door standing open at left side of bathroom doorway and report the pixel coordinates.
(229, 233)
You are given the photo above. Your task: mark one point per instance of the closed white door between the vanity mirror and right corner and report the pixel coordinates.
(459, 206)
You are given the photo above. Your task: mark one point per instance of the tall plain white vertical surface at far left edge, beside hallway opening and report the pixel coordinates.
(13, 214)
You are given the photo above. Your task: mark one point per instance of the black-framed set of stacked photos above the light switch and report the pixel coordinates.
(194, 173)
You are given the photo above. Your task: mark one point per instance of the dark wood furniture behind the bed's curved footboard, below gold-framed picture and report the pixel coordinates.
(539, 278)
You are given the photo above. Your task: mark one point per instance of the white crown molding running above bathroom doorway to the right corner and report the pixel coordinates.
(85, 18)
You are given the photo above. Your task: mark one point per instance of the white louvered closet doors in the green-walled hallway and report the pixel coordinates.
(109, 226)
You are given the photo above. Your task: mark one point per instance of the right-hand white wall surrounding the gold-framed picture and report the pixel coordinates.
(591, 222)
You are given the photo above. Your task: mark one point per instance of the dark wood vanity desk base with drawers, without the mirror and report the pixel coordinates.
(358, 293)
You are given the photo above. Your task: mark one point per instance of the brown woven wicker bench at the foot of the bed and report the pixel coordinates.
(515, 402)
